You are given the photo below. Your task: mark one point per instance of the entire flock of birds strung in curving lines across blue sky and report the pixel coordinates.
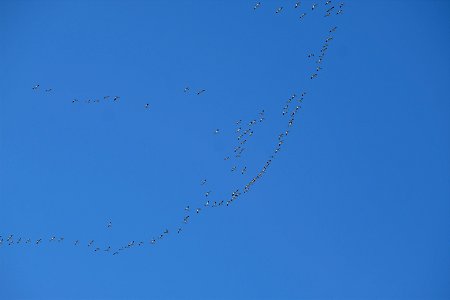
(244, 132)
